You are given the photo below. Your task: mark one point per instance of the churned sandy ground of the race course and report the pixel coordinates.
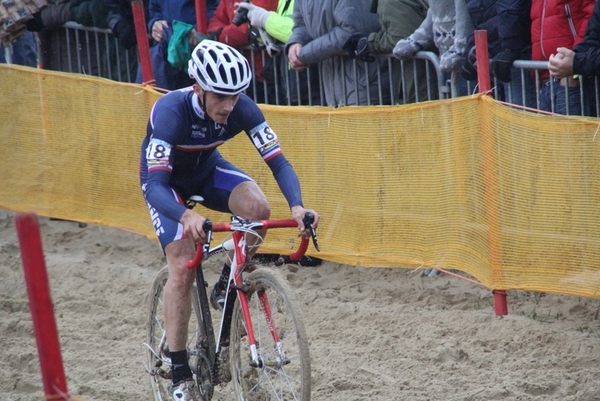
(375, 334)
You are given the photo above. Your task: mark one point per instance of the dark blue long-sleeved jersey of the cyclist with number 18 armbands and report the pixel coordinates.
(181, 142)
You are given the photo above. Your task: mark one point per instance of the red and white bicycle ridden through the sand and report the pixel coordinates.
(261, 344)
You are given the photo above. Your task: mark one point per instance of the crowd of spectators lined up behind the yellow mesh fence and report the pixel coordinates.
(336, 52)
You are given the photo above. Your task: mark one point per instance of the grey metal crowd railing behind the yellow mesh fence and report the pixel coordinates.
(97, 52)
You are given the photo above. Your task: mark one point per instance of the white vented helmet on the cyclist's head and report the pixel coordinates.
(219, 68)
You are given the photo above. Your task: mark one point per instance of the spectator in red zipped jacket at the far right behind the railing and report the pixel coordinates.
(554, 24)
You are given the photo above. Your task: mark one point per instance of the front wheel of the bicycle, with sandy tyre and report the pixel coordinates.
(276, 377)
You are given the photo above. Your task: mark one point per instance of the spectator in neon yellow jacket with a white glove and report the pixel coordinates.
(278, 26)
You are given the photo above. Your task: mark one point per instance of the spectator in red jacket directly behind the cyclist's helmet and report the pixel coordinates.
(222, 29)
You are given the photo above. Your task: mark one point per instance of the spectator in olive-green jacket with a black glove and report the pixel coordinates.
(399, 19)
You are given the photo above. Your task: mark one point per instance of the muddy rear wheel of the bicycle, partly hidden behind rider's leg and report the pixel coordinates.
(160, 378)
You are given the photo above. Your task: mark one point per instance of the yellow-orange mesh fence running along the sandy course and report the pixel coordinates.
(508, 196)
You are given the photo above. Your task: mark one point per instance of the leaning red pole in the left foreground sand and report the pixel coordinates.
(40, 303)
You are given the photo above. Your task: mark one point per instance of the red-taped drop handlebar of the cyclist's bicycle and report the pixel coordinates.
(237, 224)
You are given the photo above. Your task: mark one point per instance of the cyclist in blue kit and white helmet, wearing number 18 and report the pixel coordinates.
(179, 159)
